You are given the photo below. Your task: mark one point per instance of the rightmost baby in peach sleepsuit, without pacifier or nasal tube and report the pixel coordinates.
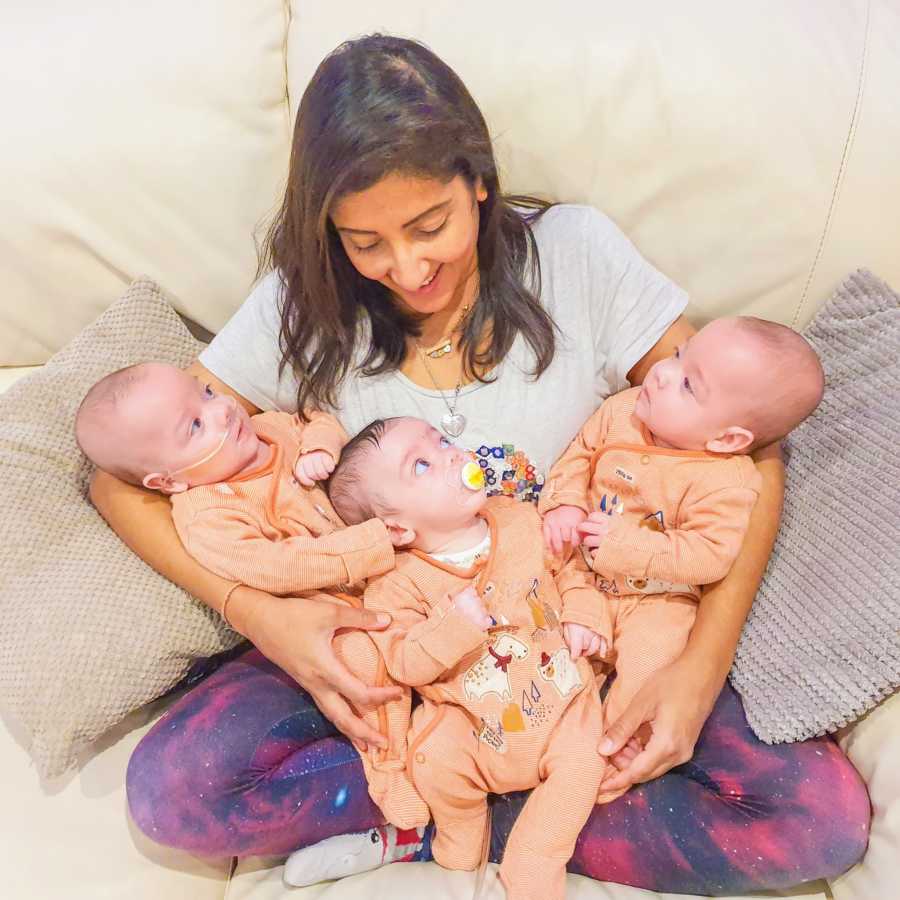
(658, 489)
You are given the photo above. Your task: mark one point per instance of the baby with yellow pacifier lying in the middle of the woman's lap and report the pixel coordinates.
(480, 630)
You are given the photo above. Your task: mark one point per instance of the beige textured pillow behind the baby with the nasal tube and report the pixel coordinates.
(89, 632)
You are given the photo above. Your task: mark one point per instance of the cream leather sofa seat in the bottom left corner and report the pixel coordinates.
(69, 838)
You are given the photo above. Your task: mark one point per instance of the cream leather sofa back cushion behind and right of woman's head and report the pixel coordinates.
(747, 150)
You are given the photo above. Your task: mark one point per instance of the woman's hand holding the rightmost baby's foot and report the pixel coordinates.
(671, 708)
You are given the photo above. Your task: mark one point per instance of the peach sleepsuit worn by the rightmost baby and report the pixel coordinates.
(679, 518)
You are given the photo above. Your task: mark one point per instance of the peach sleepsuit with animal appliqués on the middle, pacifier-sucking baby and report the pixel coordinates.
(503, 710)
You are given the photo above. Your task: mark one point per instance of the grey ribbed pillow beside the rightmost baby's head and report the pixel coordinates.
(821, 645)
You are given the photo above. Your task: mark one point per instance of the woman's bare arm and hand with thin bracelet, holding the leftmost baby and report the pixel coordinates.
(294, 632)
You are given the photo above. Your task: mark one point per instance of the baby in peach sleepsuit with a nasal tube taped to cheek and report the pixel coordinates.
(246, 505)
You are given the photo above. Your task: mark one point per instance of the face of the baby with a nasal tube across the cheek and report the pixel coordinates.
(169, 422)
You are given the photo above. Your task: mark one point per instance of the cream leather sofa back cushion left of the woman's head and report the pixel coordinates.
(137, 139)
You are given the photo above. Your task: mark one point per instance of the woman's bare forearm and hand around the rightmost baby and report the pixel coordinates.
(677, 700)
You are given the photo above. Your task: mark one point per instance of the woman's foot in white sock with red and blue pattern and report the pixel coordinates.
(349, 854)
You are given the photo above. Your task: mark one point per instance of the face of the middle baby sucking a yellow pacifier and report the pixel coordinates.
(418, 472)
